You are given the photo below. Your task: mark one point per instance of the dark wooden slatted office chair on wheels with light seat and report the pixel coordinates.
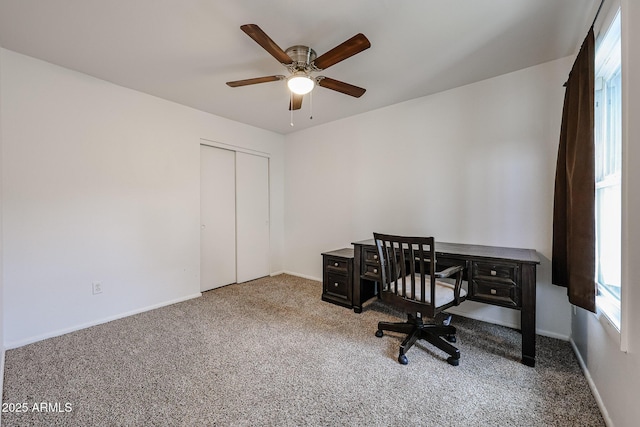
(409, 281)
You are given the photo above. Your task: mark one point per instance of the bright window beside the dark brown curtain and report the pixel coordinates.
(608, 148)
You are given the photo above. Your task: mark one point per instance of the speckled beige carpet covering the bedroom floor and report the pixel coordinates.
(271, 353)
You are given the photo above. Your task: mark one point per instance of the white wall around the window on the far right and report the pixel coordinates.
(616, 374)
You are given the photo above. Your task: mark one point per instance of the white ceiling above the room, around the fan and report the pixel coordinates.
(185, 50)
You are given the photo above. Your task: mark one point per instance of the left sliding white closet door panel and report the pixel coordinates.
(217, 218)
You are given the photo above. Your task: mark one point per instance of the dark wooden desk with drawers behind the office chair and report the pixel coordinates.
(504, 277)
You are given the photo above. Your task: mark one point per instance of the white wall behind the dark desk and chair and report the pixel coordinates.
(474, 164)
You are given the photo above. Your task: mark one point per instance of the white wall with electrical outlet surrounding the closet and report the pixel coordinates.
(101, 183)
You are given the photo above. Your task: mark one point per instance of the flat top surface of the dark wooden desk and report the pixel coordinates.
(480, 251)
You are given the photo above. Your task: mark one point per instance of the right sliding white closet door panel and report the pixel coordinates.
(252, 216)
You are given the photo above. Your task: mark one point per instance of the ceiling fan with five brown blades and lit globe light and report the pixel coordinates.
(302, 61)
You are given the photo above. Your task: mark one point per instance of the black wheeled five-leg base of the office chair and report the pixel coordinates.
(433, 333)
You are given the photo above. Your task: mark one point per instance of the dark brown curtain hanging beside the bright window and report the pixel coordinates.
(573, 263)
